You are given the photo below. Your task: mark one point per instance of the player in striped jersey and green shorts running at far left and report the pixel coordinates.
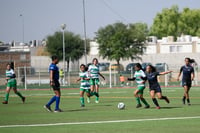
(11, 84)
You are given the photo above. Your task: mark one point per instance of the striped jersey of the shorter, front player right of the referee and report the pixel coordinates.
(85, 84)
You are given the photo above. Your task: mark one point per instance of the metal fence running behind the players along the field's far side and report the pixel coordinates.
(27, 76)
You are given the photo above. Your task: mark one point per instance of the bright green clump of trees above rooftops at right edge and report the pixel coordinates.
(172, 22)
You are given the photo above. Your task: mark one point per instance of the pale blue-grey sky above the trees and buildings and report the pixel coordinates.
(41, 18)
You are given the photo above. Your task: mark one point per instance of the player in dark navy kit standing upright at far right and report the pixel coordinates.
(187, 76)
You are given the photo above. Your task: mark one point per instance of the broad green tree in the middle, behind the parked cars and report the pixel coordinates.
(119, 41)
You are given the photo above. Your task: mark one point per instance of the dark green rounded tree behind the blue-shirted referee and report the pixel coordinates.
(74, 46)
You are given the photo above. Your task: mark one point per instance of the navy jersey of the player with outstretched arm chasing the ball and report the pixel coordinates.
(153, 81)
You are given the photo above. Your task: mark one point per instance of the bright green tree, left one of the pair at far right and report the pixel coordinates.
(165, 23)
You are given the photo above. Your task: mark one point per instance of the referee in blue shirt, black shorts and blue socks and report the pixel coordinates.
(54, 82)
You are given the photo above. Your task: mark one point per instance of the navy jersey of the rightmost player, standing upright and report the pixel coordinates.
(187, 71)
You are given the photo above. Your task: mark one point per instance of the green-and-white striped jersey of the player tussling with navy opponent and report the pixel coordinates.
(138, 77)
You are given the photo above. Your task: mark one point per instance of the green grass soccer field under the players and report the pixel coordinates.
(103, 117)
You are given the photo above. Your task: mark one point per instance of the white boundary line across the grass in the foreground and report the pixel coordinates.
(101, 122)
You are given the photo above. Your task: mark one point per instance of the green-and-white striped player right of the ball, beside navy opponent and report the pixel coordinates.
(140, 78)
